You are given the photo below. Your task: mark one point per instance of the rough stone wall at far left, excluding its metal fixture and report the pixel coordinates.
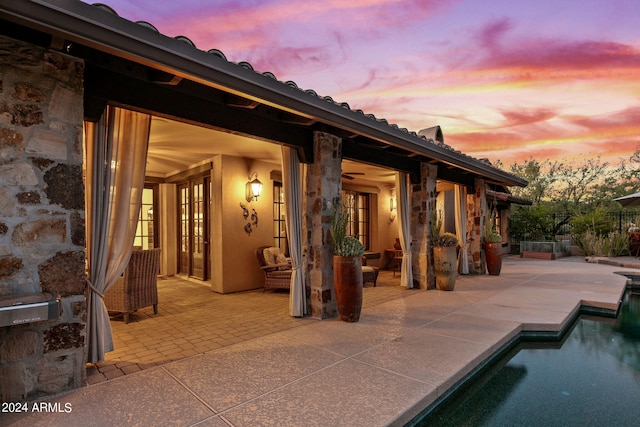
(41, 216)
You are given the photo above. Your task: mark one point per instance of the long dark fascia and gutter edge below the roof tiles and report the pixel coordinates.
(86, 24)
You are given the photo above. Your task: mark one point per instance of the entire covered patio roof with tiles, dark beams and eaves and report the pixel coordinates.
(133, 65)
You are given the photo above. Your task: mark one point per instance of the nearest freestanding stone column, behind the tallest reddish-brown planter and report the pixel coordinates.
(323, 189)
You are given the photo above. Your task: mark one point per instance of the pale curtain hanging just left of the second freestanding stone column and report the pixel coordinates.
(403, 192)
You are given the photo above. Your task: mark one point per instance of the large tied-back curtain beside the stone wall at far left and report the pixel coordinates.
(116, 154)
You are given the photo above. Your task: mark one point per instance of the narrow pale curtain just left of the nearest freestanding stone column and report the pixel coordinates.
(292, 187)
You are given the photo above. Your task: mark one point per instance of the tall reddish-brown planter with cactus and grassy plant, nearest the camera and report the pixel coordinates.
(347, 267)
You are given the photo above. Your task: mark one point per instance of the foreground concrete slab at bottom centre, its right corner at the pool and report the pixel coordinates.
(348, 393)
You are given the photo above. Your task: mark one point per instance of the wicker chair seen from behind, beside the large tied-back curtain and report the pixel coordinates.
(138, 286)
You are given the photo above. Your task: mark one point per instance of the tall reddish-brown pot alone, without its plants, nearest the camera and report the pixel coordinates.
(347, 281)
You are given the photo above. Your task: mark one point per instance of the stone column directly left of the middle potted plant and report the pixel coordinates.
(423, 202)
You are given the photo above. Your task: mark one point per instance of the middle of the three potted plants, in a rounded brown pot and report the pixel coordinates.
(445, 257)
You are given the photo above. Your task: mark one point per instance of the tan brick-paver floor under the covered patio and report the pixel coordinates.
(192, 320)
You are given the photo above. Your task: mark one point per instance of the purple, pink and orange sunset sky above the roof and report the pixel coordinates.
(505, 79)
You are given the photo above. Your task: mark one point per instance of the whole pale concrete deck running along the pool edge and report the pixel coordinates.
(383, 370)
